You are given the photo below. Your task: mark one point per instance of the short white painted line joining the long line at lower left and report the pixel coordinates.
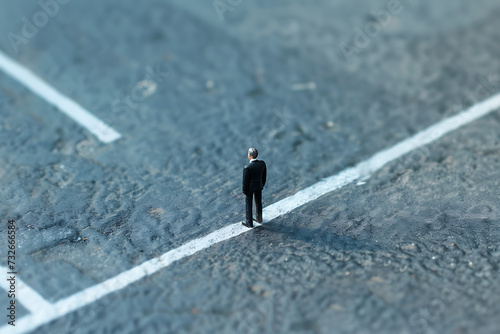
(24, 295)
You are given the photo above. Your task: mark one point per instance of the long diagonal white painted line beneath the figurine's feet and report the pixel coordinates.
(361, 171)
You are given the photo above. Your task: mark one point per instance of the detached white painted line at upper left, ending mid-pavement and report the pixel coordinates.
(101, 130)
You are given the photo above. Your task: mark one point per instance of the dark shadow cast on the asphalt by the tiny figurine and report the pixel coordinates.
(320, 236)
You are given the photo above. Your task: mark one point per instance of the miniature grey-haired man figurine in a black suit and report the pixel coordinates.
(254, 180)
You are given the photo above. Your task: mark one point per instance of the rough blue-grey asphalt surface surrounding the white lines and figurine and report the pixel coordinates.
(413, 250)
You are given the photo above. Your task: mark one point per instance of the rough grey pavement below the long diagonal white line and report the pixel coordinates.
(414, 250)
